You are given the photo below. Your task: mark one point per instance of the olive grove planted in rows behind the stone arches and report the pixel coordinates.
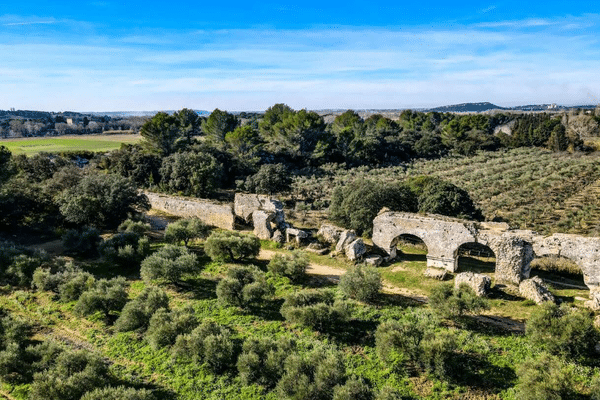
(530, 188)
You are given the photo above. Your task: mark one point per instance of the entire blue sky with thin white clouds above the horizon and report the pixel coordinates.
(133, 55)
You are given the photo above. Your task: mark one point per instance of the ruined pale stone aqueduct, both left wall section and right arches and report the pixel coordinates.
(443, 236)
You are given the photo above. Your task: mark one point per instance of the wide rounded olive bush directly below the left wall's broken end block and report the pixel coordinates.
(231, 246)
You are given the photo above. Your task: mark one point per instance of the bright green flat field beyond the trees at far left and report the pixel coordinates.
(97, 143)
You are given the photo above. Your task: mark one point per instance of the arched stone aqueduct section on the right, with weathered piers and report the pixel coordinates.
(514, 249)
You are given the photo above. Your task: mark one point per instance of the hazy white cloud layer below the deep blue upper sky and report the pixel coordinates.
(321, 68)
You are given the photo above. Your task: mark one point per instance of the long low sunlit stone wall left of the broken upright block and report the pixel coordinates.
(215, 214)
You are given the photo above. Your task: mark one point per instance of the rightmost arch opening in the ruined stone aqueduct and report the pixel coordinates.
(558, 271)
